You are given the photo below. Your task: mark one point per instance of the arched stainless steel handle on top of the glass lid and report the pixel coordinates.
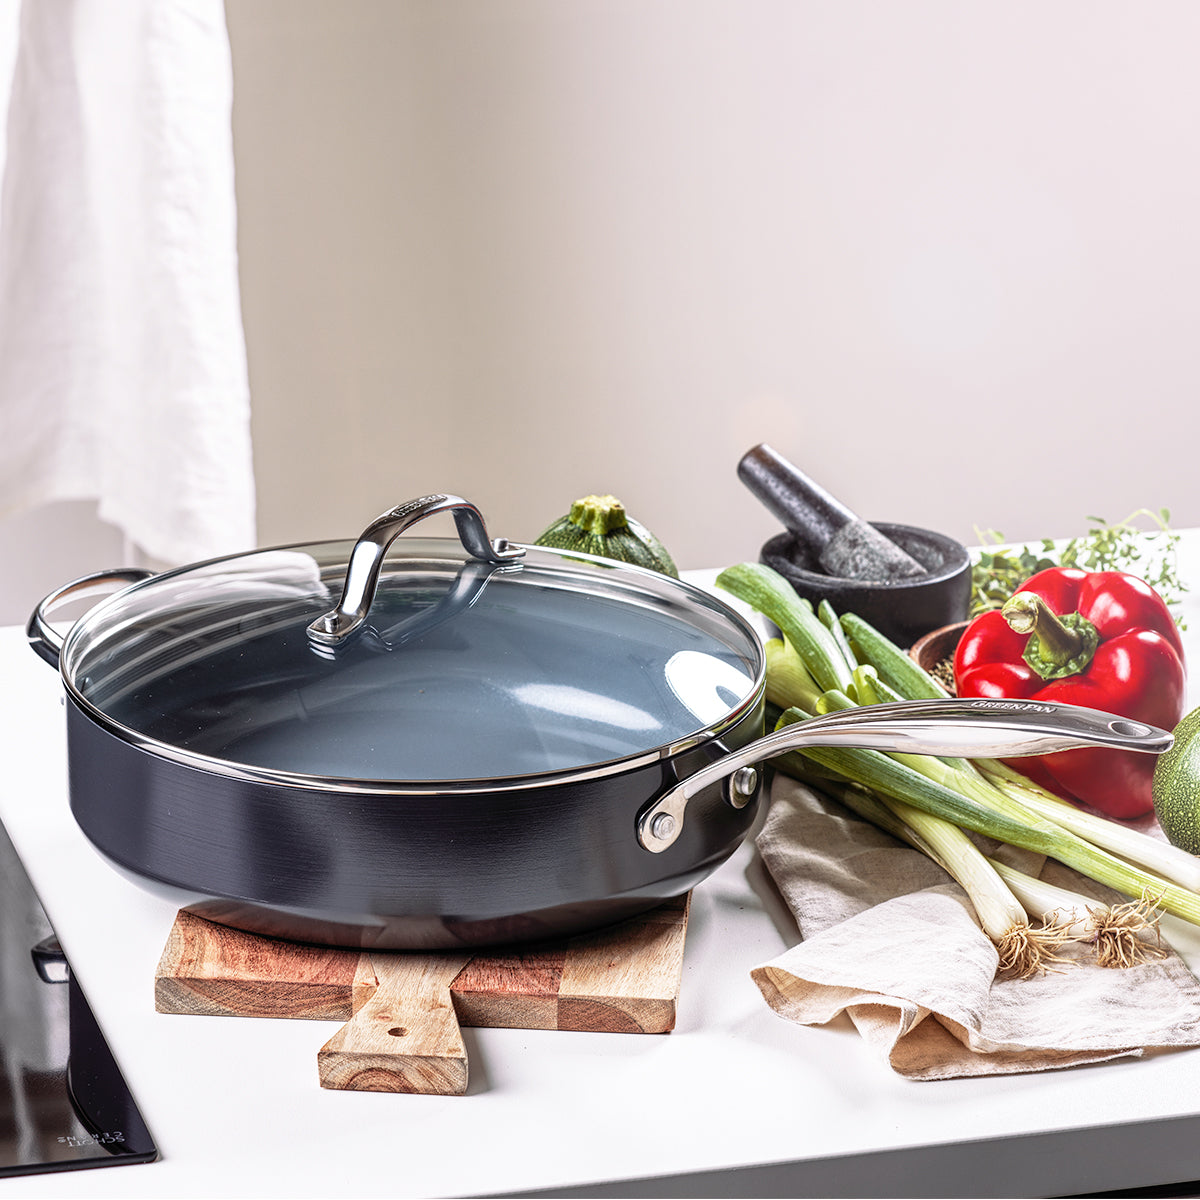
(367, 559)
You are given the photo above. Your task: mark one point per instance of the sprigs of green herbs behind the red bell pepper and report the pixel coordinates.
(1153, 555)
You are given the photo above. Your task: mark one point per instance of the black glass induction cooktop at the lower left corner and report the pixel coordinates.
(64, 1103)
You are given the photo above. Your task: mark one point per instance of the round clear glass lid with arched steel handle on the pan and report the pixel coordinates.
(434, 665)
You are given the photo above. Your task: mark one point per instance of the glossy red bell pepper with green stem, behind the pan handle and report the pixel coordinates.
(1099, 639)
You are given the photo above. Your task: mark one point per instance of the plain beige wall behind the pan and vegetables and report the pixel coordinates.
(943, 255)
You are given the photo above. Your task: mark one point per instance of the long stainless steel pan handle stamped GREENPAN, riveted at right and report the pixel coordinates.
(967, 729)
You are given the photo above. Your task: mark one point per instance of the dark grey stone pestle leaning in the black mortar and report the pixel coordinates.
(844, 544)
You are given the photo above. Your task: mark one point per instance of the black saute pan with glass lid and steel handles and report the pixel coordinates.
(466, 742)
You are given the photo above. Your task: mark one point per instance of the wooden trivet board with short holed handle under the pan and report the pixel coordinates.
(404, 1012)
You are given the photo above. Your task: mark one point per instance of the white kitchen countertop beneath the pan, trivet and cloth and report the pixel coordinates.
(773, 1108)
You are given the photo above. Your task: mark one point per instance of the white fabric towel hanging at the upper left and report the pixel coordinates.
(123, 362)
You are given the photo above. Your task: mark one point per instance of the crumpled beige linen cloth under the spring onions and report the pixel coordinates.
(892, 941)
